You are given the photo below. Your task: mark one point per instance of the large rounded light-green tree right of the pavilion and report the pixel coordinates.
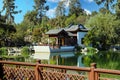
(102, 32)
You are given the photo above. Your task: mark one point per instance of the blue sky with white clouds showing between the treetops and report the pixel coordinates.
(27, 5)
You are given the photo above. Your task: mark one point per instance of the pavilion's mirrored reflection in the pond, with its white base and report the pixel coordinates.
(63, 58)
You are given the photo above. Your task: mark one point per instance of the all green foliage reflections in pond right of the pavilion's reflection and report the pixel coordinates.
(103, 59)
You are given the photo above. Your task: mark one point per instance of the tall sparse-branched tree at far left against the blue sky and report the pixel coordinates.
(9, 7)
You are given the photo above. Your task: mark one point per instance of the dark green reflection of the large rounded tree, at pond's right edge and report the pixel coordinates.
(107, 59)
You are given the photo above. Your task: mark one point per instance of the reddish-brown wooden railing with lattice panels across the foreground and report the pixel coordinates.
(29, 71)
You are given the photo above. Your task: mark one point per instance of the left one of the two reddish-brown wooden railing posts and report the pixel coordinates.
(38, 75)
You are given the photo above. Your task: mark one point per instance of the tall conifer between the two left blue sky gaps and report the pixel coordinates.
(40, 8)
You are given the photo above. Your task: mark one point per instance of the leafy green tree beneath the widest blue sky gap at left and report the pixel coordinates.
(19, 38)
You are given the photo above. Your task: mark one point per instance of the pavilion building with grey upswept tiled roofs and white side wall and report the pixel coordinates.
(69, 36)
